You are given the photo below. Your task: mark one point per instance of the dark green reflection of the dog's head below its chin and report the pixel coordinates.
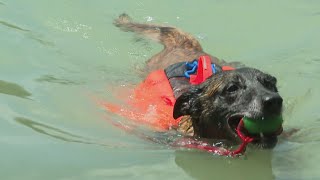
(205, 166)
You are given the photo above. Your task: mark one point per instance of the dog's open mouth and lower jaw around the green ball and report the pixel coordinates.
(261, 139)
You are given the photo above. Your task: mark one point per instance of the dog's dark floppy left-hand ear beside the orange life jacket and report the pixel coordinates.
(185, 103)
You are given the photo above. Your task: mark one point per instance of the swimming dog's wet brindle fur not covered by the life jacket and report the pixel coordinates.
(212, 109)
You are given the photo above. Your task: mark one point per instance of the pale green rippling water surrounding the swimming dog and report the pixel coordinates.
(58, 58)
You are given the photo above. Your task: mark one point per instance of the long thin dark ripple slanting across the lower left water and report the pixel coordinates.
(60, 134)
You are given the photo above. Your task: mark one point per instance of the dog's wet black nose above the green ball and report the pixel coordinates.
(272, 103)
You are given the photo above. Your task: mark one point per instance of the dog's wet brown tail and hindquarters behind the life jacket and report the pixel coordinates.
(178, 45)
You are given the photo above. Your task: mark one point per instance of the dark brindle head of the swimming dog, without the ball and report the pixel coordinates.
(217, 105)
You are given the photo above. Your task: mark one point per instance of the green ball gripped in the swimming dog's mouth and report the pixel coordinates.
(265, 126)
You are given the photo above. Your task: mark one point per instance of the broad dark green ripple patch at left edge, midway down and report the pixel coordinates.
(13, 89)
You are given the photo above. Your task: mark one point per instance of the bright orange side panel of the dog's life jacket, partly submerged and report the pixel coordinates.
(151, 103)
